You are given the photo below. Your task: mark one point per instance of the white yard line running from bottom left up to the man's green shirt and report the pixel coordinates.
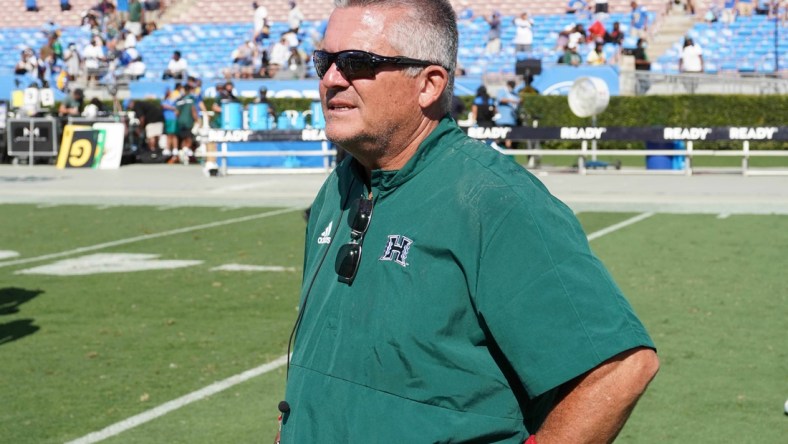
(167, 407)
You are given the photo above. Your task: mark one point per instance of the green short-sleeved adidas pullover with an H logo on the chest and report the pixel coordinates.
(477, 295)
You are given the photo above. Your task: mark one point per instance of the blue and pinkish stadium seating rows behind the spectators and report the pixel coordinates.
(206, 32)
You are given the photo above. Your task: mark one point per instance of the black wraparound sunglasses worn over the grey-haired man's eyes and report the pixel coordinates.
(354, 64)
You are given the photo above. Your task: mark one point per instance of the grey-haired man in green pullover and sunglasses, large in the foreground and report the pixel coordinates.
(477, 312)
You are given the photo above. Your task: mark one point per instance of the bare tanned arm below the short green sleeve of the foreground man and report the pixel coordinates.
(594, 407)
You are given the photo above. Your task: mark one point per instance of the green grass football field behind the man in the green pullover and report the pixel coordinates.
(81, 352)
